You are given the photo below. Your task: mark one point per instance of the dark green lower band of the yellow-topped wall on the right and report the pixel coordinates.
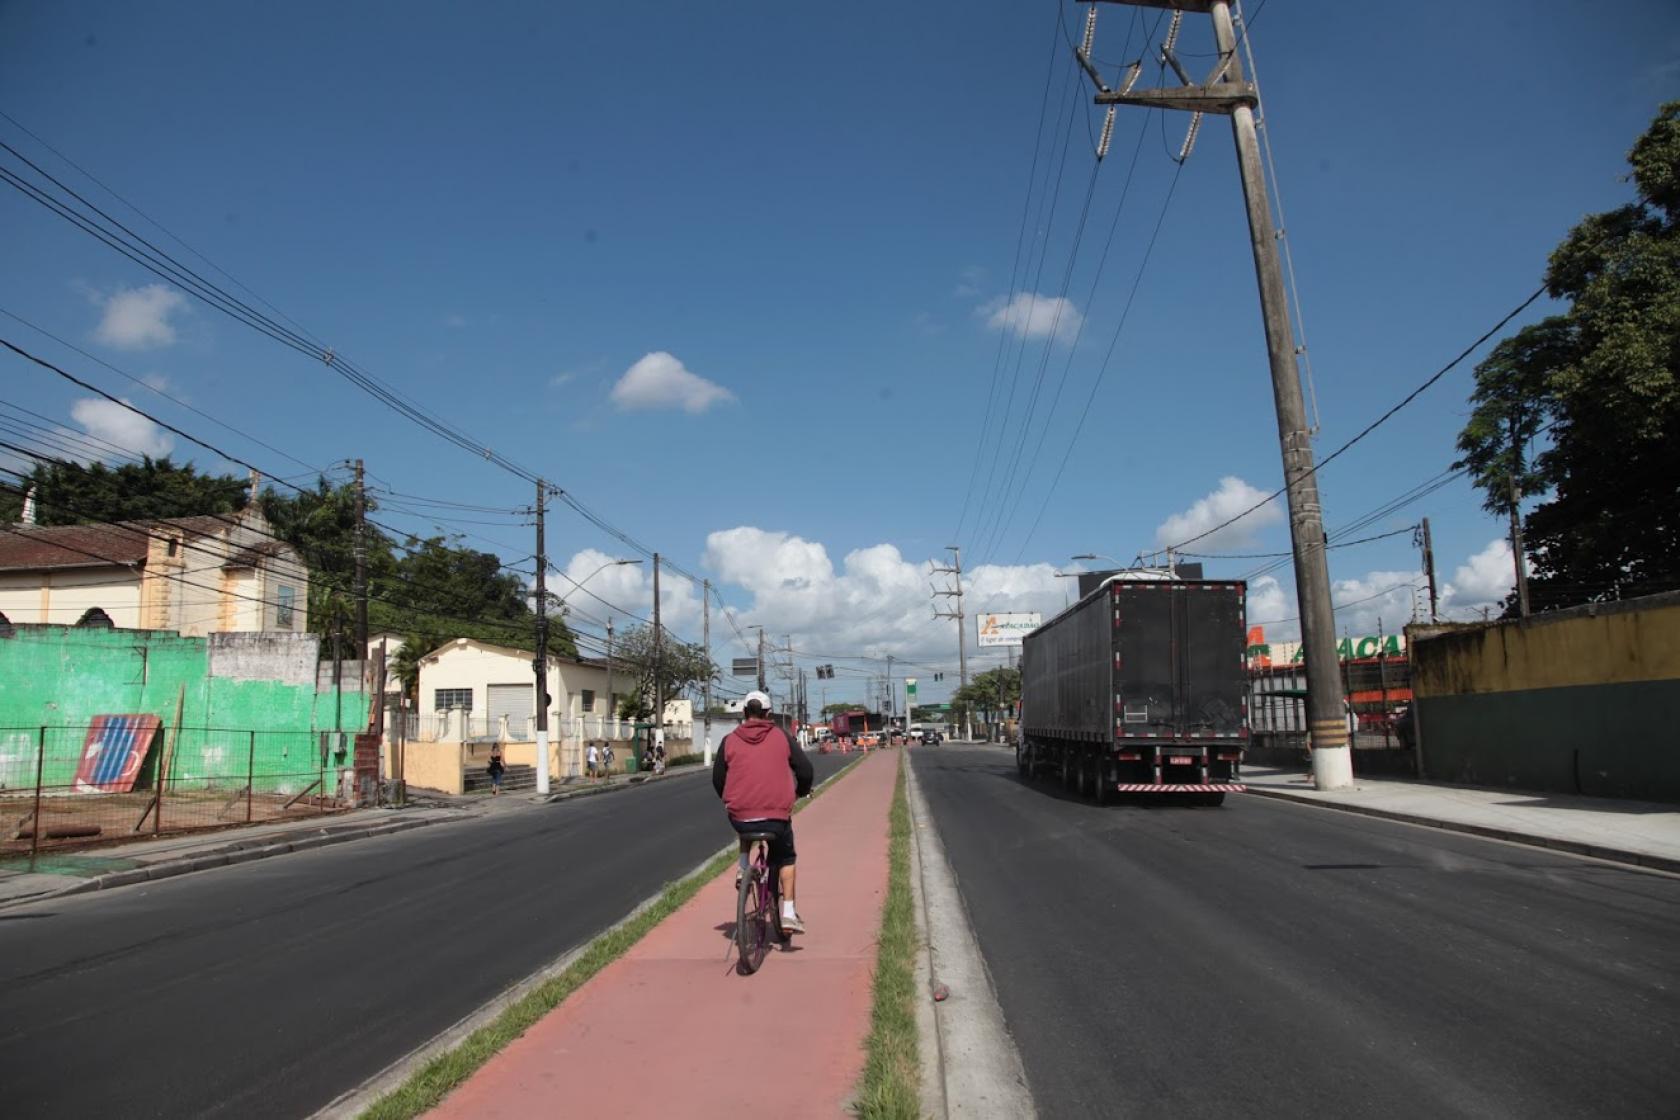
(1610, 741)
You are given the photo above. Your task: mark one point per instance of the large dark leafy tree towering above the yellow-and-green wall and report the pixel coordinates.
(1602, 382)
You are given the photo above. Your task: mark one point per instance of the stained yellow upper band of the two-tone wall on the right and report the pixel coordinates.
(1615, 647)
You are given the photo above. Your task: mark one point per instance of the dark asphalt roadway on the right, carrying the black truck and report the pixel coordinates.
(1271, 960)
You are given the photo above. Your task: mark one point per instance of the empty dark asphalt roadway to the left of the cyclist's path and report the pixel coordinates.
(270, 988)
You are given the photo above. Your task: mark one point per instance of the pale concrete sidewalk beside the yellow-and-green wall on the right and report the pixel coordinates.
(1627, 832)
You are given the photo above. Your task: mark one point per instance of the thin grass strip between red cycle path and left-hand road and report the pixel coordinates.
(433, 1082)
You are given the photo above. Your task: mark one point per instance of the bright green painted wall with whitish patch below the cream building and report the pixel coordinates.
(61, 678)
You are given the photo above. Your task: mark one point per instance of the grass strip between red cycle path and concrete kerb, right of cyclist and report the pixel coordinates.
(893, 1069)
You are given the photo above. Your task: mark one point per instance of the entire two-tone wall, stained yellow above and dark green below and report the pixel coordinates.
(1580, 701)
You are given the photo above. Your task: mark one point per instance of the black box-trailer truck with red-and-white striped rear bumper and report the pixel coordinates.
(1140, 689)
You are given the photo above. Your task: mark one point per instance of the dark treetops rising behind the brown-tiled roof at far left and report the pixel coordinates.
(70, 493)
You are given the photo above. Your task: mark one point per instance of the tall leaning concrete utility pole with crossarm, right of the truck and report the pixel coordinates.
(1227, 92)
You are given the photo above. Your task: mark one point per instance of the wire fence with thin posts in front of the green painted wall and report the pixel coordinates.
(61, 788)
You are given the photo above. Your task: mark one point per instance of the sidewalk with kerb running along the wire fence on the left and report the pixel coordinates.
(118, 866)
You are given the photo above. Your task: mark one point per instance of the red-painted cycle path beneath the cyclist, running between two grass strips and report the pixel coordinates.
(671, 1030)
